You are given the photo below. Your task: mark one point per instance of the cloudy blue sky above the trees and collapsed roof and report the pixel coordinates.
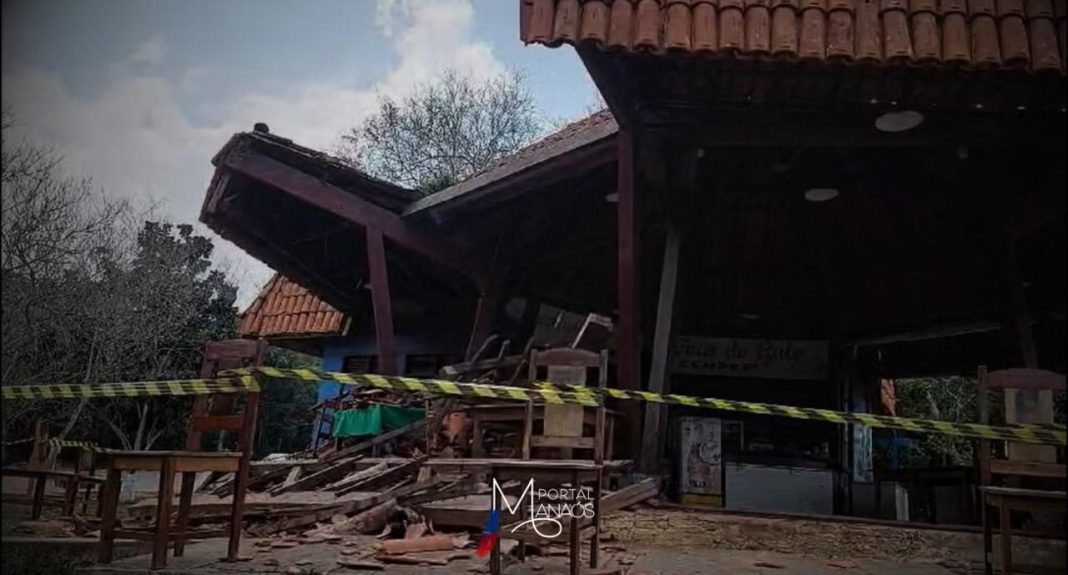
(138, 95)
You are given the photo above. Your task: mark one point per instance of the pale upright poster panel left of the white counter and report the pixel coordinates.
(701, 461)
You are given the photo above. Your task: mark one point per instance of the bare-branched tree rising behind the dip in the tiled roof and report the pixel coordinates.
(444, 132)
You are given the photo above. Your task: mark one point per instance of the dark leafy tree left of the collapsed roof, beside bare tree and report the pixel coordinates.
(167, 303)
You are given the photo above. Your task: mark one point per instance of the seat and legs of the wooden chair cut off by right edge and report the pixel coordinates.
(1007, 500)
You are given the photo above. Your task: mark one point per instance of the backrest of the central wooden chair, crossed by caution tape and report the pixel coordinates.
(563, 426)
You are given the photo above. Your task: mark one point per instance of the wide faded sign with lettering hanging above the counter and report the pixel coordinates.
(733, 358)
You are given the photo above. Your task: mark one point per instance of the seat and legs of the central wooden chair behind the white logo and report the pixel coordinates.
(549, 474)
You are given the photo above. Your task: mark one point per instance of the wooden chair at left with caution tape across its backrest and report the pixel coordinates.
(210, 413)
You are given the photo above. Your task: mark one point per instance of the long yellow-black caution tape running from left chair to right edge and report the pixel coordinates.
(587, 396)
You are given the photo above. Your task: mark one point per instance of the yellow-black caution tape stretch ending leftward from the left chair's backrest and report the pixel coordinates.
(134, 390)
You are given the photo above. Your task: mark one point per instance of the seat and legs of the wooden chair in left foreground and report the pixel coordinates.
(169, 464)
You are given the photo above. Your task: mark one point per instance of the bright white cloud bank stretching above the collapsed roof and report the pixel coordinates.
(137, 143)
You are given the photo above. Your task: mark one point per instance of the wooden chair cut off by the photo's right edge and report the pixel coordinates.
(1002, 465)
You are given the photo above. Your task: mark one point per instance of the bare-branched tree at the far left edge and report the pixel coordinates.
(55, 229)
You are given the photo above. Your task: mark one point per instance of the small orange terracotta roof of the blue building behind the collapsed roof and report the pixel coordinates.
(284, 309)
